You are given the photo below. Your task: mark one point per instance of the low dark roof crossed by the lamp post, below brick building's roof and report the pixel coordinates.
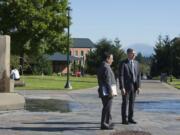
(61, 57)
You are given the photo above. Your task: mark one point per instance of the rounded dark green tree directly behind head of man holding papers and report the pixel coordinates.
(95, 57)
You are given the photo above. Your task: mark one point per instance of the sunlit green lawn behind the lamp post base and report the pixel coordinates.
(56, 82)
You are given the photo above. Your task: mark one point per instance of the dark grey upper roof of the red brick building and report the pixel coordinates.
(82, 43)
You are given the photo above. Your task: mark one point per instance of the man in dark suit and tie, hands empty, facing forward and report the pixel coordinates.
(129, 83)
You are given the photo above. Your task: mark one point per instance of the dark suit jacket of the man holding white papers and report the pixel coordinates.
(105, 78)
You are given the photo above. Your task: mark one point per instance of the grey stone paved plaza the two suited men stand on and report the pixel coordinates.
(85, 117)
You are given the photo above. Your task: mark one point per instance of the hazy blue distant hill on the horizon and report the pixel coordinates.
(144, 49)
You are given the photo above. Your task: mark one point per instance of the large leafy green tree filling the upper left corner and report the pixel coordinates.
(35, 26)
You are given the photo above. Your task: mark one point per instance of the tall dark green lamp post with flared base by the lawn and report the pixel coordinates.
(68, 85)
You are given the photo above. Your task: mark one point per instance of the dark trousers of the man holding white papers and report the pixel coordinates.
(106, 117)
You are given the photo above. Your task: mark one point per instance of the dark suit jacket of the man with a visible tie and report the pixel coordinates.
(126, 76)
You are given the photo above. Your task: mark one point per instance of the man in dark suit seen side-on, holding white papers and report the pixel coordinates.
(106, 79)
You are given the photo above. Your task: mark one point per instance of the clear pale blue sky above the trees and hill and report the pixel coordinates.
(132, 21)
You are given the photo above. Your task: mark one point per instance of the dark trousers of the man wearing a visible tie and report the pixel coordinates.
(128, 100)
